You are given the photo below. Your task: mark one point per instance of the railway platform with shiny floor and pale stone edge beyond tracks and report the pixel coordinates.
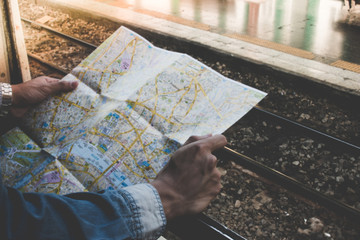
(308, 39)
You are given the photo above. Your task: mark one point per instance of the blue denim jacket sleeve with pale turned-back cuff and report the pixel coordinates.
(131, 213)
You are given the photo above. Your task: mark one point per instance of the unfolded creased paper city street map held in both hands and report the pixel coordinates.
(135, 105)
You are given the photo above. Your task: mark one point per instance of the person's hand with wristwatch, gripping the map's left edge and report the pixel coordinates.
(36, 90)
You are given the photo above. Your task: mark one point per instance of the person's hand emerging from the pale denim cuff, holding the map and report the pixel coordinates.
(190, 180)
